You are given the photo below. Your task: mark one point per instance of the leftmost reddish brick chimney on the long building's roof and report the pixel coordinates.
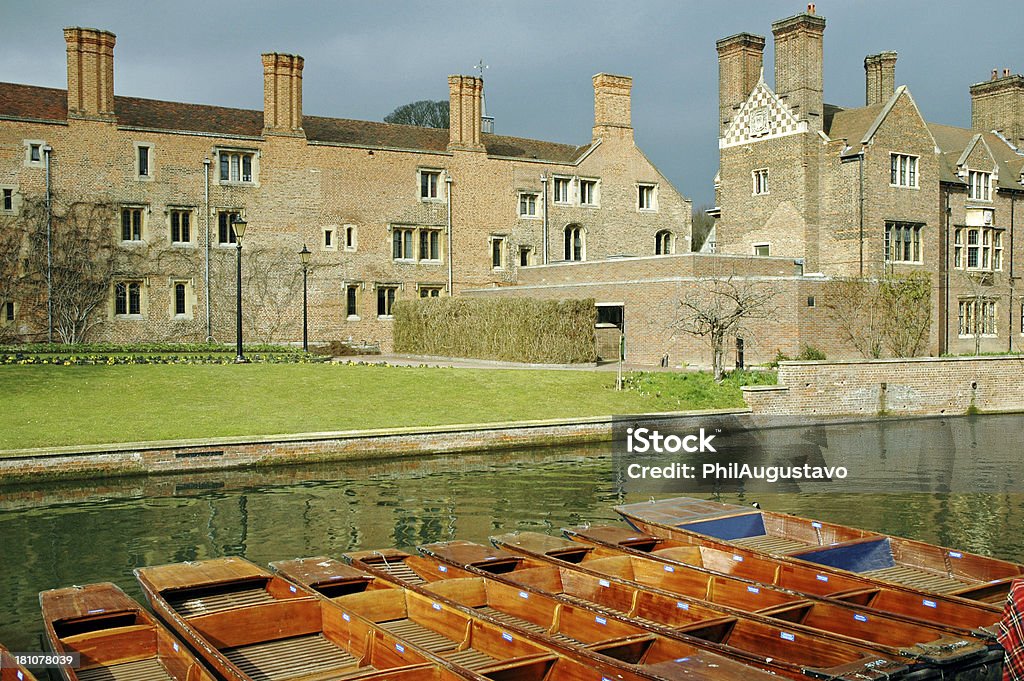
(91, 74)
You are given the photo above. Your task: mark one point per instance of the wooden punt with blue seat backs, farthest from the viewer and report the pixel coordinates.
(883, 558)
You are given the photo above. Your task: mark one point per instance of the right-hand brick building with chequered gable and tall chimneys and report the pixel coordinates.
(875, 190)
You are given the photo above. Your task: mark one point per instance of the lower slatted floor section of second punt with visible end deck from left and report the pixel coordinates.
(310, 656)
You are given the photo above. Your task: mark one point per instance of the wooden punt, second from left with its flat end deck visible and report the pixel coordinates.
(249, 625)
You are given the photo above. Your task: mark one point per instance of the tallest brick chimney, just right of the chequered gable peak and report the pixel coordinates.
(799, 65)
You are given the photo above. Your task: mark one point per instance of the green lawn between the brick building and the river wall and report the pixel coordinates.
(58, 406)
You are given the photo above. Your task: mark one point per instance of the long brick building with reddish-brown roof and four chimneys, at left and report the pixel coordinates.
(390, 211)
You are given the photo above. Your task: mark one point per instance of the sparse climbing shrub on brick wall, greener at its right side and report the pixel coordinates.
(892, 315)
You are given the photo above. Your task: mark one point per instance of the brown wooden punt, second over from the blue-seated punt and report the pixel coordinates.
(953, 655)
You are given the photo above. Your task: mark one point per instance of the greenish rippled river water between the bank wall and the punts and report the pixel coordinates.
(77, 533)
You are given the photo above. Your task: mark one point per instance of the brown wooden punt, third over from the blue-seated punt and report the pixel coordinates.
(777, 650)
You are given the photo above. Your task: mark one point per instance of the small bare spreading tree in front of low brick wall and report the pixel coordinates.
(718, 309)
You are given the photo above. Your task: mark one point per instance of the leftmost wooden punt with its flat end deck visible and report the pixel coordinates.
(116, 640)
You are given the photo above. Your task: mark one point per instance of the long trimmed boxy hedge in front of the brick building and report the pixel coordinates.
(507, 329)
